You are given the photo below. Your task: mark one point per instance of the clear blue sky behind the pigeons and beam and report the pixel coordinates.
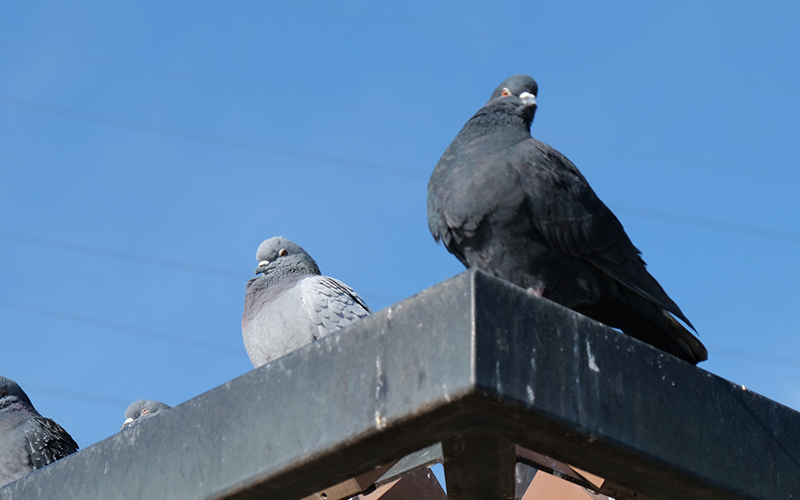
(147, 149)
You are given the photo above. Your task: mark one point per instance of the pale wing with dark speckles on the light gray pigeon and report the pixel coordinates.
(331, 304)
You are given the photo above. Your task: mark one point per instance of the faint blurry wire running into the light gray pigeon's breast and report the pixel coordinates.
(119, 327)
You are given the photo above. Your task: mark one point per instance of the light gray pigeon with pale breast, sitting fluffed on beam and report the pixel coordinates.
(291, 304)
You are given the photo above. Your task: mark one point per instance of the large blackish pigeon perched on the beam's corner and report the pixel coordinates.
(506, 203)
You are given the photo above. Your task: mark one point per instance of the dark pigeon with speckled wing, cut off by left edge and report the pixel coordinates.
(28, 441)
